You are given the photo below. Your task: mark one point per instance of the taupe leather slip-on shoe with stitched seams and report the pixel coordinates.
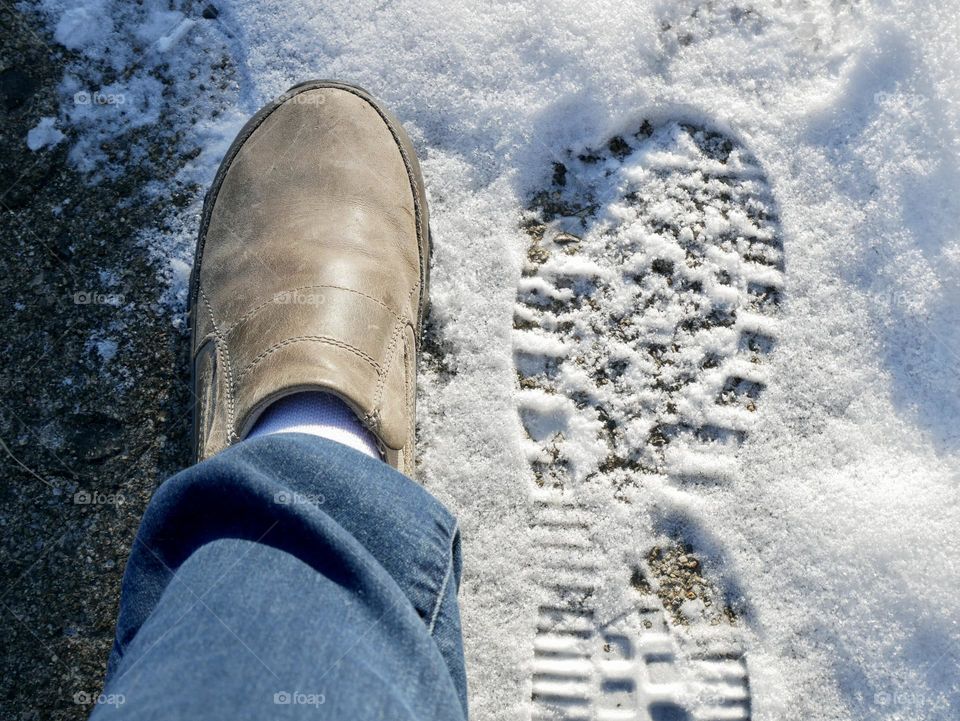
(312, 269)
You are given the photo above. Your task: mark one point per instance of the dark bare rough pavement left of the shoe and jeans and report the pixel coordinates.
(94, 406)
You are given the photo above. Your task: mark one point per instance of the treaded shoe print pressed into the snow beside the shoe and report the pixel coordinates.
(646, 310)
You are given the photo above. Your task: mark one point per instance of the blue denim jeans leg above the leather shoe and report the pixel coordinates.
(290, 577)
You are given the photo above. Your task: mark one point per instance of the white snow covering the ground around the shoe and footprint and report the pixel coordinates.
(834, 536)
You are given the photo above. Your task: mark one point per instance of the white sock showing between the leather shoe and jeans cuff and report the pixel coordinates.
(320, 414)
